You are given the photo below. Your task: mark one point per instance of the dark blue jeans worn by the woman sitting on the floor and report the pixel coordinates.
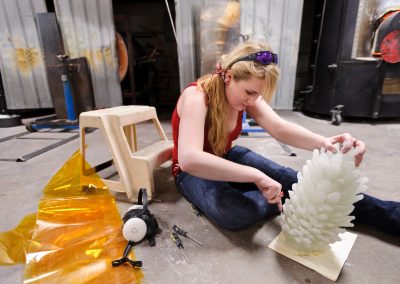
(235, 206)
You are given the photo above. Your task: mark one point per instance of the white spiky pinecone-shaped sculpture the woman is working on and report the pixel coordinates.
(321, 201)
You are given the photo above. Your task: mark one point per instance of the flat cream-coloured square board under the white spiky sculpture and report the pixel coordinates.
(329, 263)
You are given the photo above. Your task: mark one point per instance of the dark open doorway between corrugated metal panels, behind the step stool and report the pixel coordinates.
(153, 73)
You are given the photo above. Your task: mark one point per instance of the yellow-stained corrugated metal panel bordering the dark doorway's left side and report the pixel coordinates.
(87, 29)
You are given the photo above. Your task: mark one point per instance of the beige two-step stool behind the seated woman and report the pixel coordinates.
(134, 166)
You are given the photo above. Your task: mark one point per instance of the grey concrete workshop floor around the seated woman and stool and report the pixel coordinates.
(227, 257)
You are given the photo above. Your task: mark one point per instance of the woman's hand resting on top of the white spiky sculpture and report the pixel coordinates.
(348, 142)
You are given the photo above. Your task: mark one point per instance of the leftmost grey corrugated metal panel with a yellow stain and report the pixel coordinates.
(21, 61)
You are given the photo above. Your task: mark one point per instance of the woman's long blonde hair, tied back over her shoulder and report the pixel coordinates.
(214, 88)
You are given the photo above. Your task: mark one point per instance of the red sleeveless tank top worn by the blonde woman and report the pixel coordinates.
(233, 135)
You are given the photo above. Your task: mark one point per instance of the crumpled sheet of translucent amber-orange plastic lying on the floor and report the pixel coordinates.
(76, 235)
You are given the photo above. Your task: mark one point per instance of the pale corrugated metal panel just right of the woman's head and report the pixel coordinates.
(279, 23)
